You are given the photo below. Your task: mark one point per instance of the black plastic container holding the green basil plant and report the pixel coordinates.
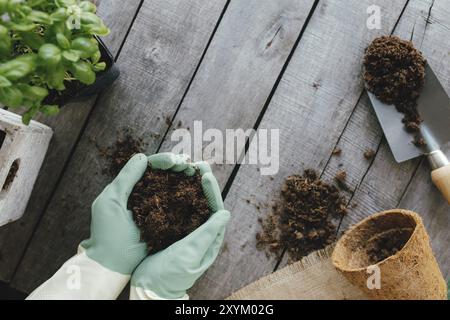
(76, 91)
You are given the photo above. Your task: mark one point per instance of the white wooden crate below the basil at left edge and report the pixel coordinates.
(24, 148)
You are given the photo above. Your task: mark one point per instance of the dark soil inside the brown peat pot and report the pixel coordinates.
(387, 244)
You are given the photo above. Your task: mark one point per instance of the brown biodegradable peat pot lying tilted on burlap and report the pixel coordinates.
(411, 273)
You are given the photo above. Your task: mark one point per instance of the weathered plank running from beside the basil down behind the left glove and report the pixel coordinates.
(158, 60)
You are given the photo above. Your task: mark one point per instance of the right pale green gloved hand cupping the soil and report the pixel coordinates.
(170, 273)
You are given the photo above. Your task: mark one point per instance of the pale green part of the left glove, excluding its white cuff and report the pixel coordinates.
(115, 239)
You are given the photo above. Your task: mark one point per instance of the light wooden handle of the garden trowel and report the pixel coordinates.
(440, 174)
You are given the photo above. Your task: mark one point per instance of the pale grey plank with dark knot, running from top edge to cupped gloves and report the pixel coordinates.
(240, 68)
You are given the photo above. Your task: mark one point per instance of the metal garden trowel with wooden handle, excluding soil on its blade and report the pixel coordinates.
(434, 108)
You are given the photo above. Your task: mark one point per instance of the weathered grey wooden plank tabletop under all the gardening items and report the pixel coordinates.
(293, 65)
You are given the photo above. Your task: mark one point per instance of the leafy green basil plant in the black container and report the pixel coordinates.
(44, 46)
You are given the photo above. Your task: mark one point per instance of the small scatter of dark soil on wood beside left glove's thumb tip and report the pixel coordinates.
(118, 154)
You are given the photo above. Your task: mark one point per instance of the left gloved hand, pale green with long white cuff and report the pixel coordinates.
(105, 261)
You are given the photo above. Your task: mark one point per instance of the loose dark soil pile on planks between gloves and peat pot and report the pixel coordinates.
(301, 221)
